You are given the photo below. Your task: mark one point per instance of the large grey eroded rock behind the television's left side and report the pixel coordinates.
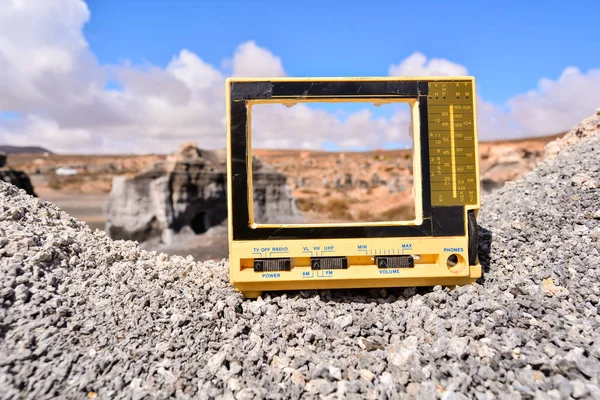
(187, 195)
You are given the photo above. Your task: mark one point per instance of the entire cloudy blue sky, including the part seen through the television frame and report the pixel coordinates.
(144, 76)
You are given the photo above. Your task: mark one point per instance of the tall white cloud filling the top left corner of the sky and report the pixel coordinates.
(44, 57)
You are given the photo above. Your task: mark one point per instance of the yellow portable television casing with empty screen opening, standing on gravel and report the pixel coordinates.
(438, 247)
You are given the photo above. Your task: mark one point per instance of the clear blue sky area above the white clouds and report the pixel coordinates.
(507, 45)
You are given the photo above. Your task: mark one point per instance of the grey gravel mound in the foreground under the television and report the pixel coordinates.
(85, 316)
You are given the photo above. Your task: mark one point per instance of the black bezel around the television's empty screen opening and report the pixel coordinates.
(436, 221)
